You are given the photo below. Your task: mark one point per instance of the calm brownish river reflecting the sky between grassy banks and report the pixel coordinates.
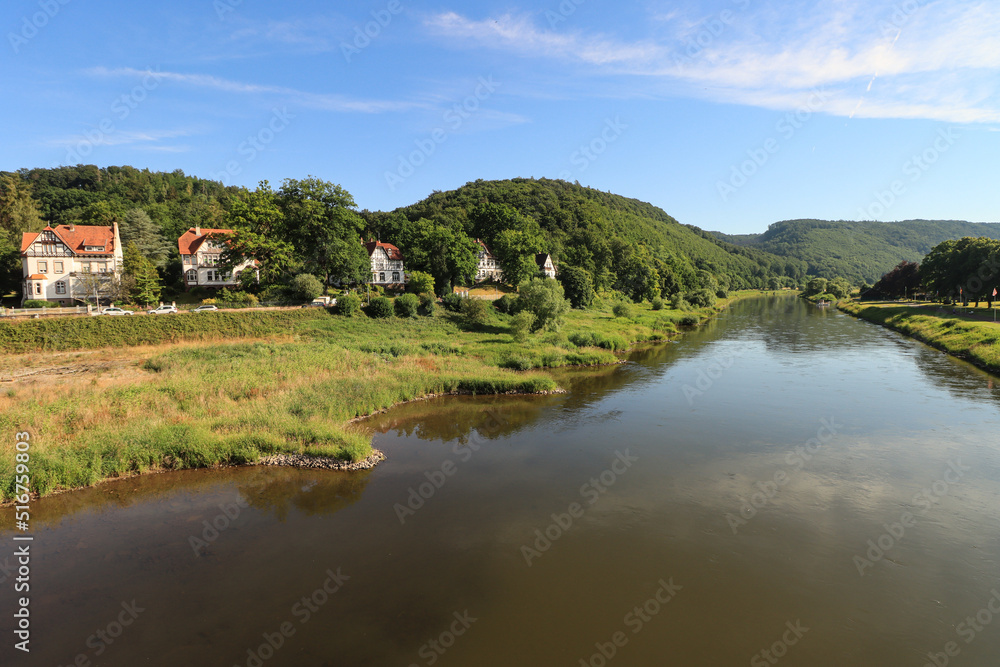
(786, 484)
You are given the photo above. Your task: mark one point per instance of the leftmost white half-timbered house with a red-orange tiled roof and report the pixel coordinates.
(55, 260)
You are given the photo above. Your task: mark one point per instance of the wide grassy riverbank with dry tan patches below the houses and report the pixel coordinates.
(292, 385)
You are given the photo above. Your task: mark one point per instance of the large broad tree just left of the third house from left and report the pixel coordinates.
(324, 228)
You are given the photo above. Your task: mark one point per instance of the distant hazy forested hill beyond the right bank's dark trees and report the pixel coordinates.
(858, 250)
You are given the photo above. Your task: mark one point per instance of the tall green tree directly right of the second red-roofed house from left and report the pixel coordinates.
(256, 221)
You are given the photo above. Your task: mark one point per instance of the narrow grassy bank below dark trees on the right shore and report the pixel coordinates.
(960, 334)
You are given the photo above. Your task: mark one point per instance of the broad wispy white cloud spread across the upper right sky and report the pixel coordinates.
(932, 60)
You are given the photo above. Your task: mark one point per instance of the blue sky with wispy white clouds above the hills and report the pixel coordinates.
(728, 114)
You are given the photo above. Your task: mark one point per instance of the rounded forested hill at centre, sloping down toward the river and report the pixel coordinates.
(603, 232)
